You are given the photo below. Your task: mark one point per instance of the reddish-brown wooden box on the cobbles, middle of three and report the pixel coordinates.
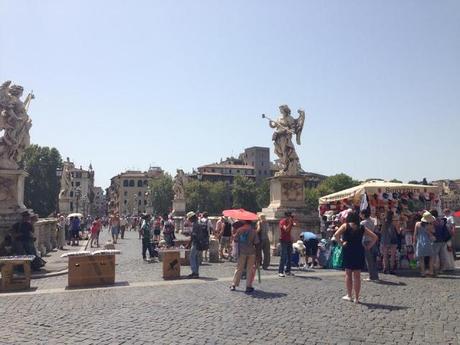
(91, 270)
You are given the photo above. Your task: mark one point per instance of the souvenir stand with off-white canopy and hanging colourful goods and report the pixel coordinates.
(406, 201)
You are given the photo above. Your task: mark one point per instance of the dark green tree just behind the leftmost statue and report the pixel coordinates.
(42, 186)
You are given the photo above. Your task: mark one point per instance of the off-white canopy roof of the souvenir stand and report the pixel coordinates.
(373, 187)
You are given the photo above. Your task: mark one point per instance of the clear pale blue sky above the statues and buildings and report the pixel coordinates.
(128, 84)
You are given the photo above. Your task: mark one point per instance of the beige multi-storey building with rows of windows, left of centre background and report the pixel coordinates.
(129, 191)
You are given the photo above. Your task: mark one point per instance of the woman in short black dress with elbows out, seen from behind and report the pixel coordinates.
(350, 236)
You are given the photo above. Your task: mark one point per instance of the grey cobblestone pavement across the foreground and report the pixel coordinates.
(305, 309)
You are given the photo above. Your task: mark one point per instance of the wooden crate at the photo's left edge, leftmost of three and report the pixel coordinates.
(9, 281)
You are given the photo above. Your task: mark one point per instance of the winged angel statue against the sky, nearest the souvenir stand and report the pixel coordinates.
(285, 127)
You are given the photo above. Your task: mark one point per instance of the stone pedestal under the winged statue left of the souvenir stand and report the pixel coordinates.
(287, 194)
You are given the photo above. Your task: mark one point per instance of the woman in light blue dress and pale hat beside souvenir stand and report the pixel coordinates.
(423, 235)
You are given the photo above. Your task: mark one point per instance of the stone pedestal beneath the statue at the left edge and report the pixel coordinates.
(11, 199)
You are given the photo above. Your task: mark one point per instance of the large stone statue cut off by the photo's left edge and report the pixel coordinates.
(15, 124)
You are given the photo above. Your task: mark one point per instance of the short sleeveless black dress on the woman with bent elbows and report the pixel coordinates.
(353, 250)
